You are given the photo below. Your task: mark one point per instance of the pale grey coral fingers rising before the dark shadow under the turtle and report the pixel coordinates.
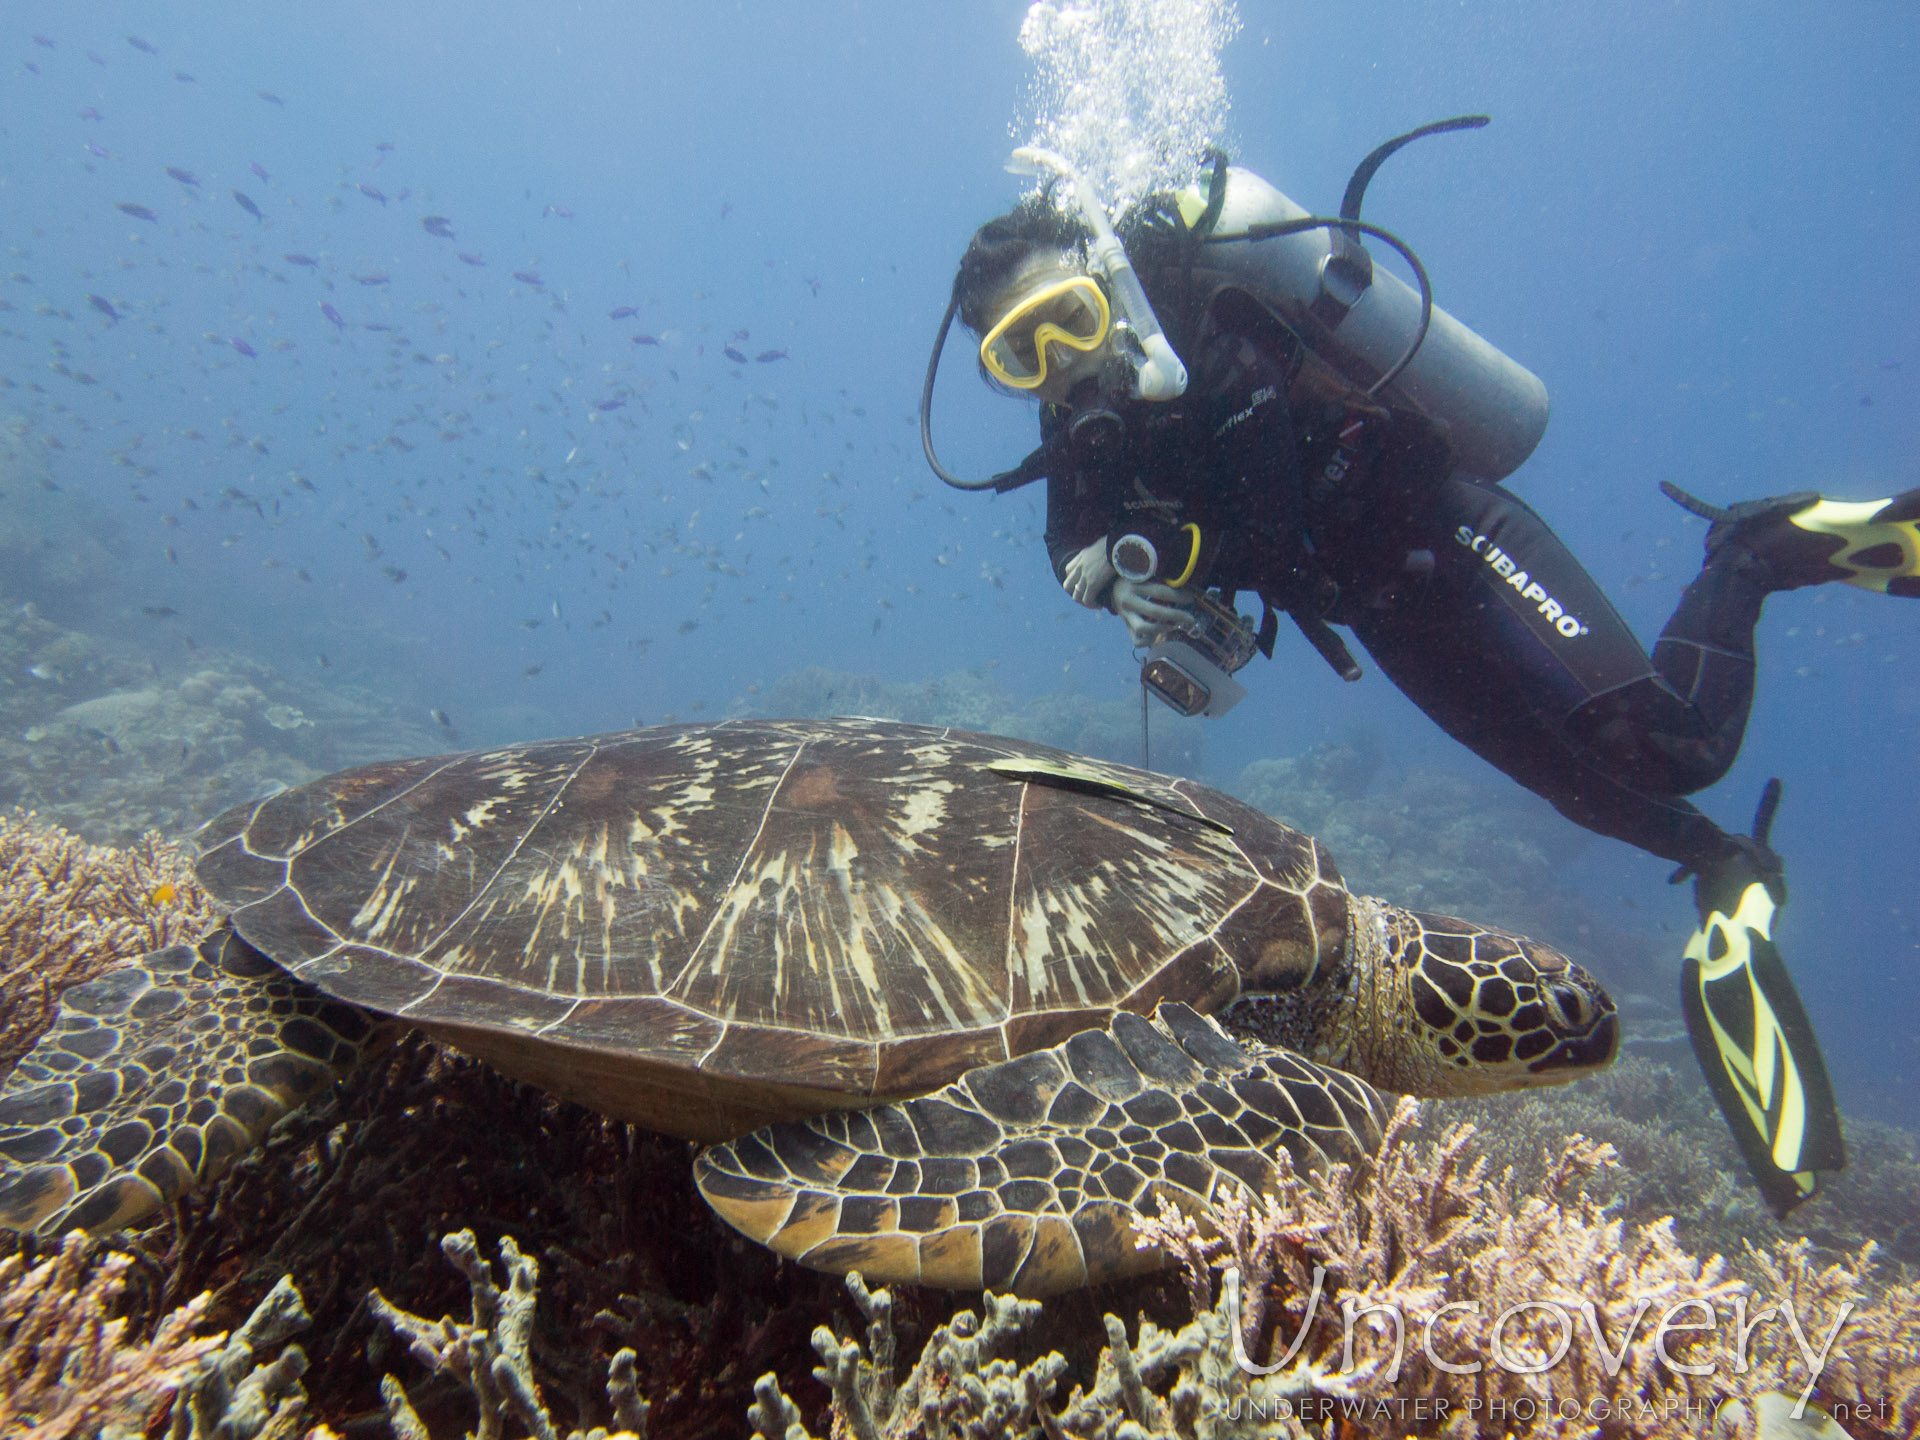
(491, 1356)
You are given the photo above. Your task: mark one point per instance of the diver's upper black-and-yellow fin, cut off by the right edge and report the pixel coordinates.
(1810, 540)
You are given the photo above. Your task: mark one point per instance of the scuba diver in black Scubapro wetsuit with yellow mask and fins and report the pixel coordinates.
(1236, 402)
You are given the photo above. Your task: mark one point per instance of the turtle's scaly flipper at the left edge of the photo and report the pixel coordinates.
(160, 1074)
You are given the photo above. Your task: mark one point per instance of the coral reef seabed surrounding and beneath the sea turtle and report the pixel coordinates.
(354, 1195)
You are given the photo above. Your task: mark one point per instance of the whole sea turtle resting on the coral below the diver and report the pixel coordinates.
(961, 982)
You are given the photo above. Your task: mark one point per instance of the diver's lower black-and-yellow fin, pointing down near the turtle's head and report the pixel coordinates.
(1750, 1030)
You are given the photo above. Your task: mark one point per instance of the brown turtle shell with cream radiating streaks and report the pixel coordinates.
(708, 928)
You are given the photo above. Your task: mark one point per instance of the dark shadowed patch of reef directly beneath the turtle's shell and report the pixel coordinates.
(354, 1195)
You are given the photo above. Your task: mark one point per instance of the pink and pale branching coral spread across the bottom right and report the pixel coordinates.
(1416, 1295)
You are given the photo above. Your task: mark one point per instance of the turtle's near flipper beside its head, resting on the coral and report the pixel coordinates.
(1026, 1176)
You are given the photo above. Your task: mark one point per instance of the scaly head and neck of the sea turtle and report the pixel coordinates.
(1439, 1007)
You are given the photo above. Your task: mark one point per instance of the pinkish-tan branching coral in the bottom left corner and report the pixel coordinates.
(66, 1370)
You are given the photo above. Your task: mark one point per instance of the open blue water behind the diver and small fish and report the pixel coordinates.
(1694, 222)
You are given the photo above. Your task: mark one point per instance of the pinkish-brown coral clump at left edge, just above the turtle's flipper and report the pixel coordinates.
(70, 911)
